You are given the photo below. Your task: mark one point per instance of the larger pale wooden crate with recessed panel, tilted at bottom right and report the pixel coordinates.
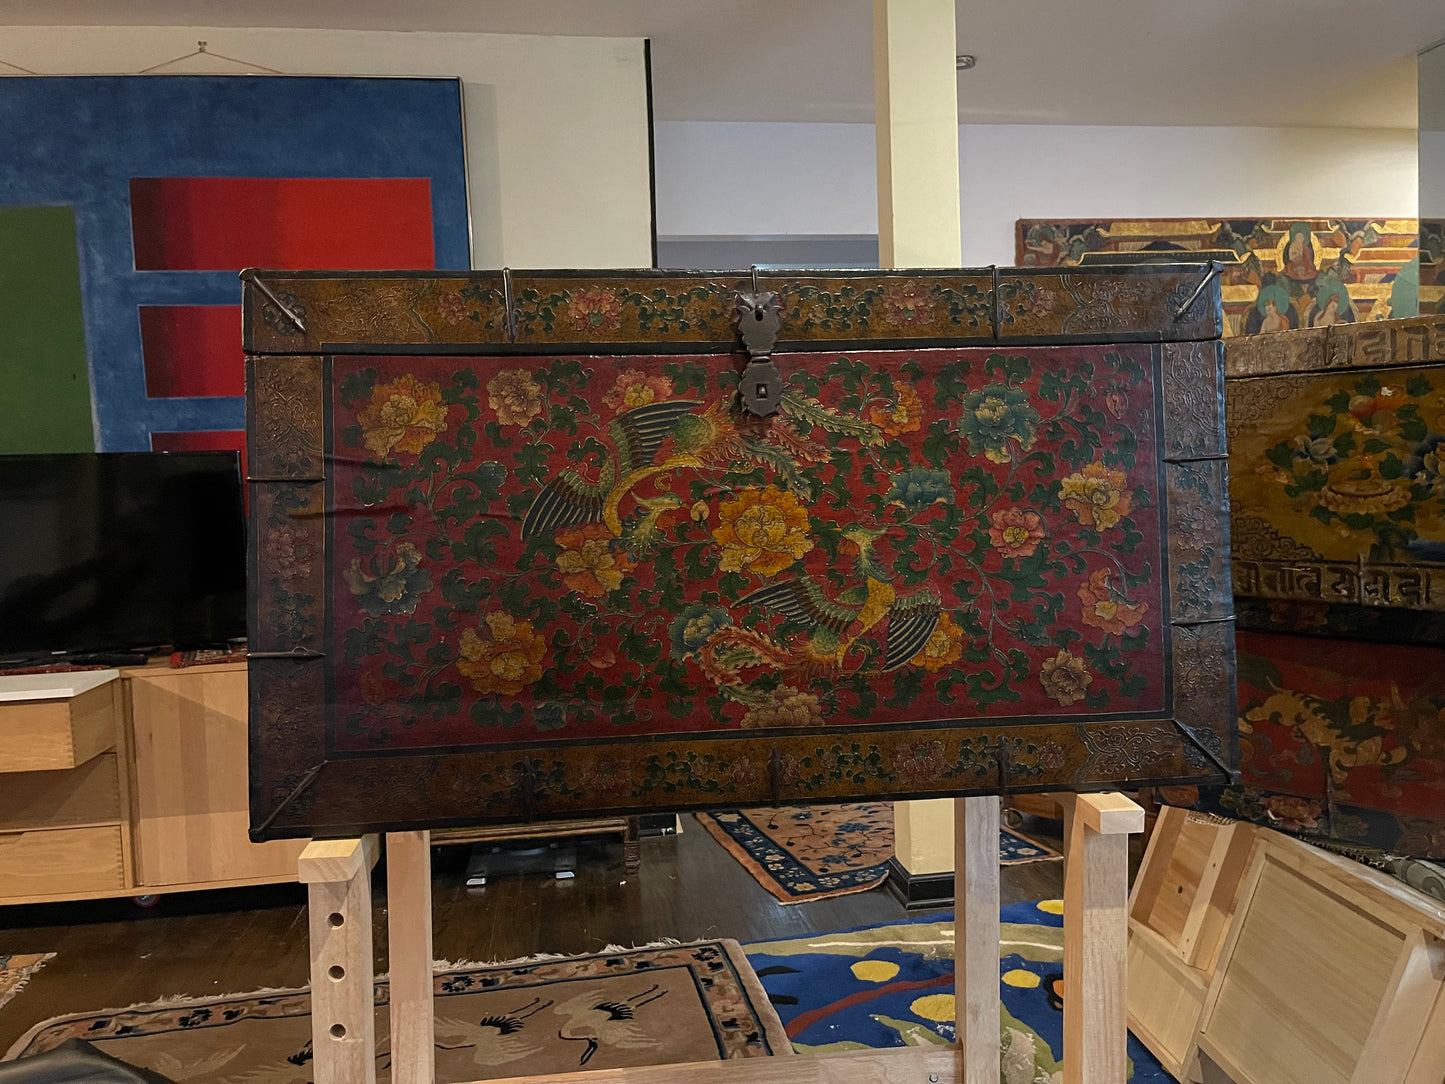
(1332, 973)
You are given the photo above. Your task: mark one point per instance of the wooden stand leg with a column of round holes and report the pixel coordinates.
(339, 891)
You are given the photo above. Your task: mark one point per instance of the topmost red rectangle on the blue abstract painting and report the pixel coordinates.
(223, 223)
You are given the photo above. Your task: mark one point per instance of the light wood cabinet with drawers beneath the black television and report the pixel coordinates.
(132, 783)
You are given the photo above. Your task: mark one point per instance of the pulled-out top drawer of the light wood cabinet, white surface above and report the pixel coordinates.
(48, 735)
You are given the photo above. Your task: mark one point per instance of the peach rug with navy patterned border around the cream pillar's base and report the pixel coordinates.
(804, 853)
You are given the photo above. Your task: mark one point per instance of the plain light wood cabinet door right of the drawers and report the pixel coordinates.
(191, 801)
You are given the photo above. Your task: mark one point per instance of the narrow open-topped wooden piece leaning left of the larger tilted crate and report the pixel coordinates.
(1178, 919)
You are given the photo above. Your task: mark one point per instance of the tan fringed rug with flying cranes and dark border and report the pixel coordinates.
(616, 1010)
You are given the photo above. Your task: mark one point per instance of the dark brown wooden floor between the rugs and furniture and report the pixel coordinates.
(112, 953)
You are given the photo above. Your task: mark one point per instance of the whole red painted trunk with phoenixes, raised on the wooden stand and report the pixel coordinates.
(566, 544)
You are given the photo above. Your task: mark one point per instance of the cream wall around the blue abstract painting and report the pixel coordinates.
(557, 128)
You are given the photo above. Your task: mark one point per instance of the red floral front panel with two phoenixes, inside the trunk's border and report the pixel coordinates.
(600, 549)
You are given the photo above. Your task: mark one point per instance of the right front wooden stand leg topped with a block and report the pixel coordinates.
(1096, 934)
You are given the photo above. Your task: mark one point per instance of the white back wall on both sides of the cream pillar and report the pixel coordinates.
(774, 180)
